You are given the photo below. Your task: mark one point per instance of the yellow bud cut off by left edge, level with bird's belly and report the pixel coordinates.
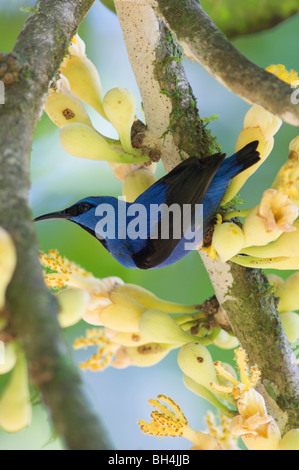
(8, 260)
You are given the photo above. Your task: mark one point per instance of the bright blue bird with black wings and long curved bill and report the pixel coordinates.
(139, 241)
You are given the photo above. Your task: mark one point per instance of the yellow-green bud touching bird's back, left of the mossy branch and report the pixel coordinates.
(137, 182)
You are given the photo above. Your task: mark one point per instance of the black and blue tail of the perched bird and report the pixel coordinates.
(240, 161)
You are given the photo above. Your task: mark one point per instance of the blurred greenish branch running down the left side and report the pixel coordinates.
(26, 72)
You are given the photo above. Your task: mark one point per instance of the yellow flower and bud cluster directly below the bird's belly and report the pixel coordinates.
(137, 327)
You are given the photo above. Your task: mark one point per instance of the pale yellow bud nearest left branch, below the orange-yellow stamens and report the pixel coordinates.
(73, 304)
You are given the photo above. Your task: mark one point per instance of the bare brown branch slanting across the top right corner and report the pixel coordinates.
(202, 41)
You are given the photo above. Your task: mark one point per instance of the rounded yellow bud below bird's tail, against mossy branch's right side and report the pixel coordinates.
(228, 239)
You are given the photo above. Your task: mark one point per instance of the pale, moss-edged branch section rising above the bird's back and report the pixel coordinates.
(167, 98)
